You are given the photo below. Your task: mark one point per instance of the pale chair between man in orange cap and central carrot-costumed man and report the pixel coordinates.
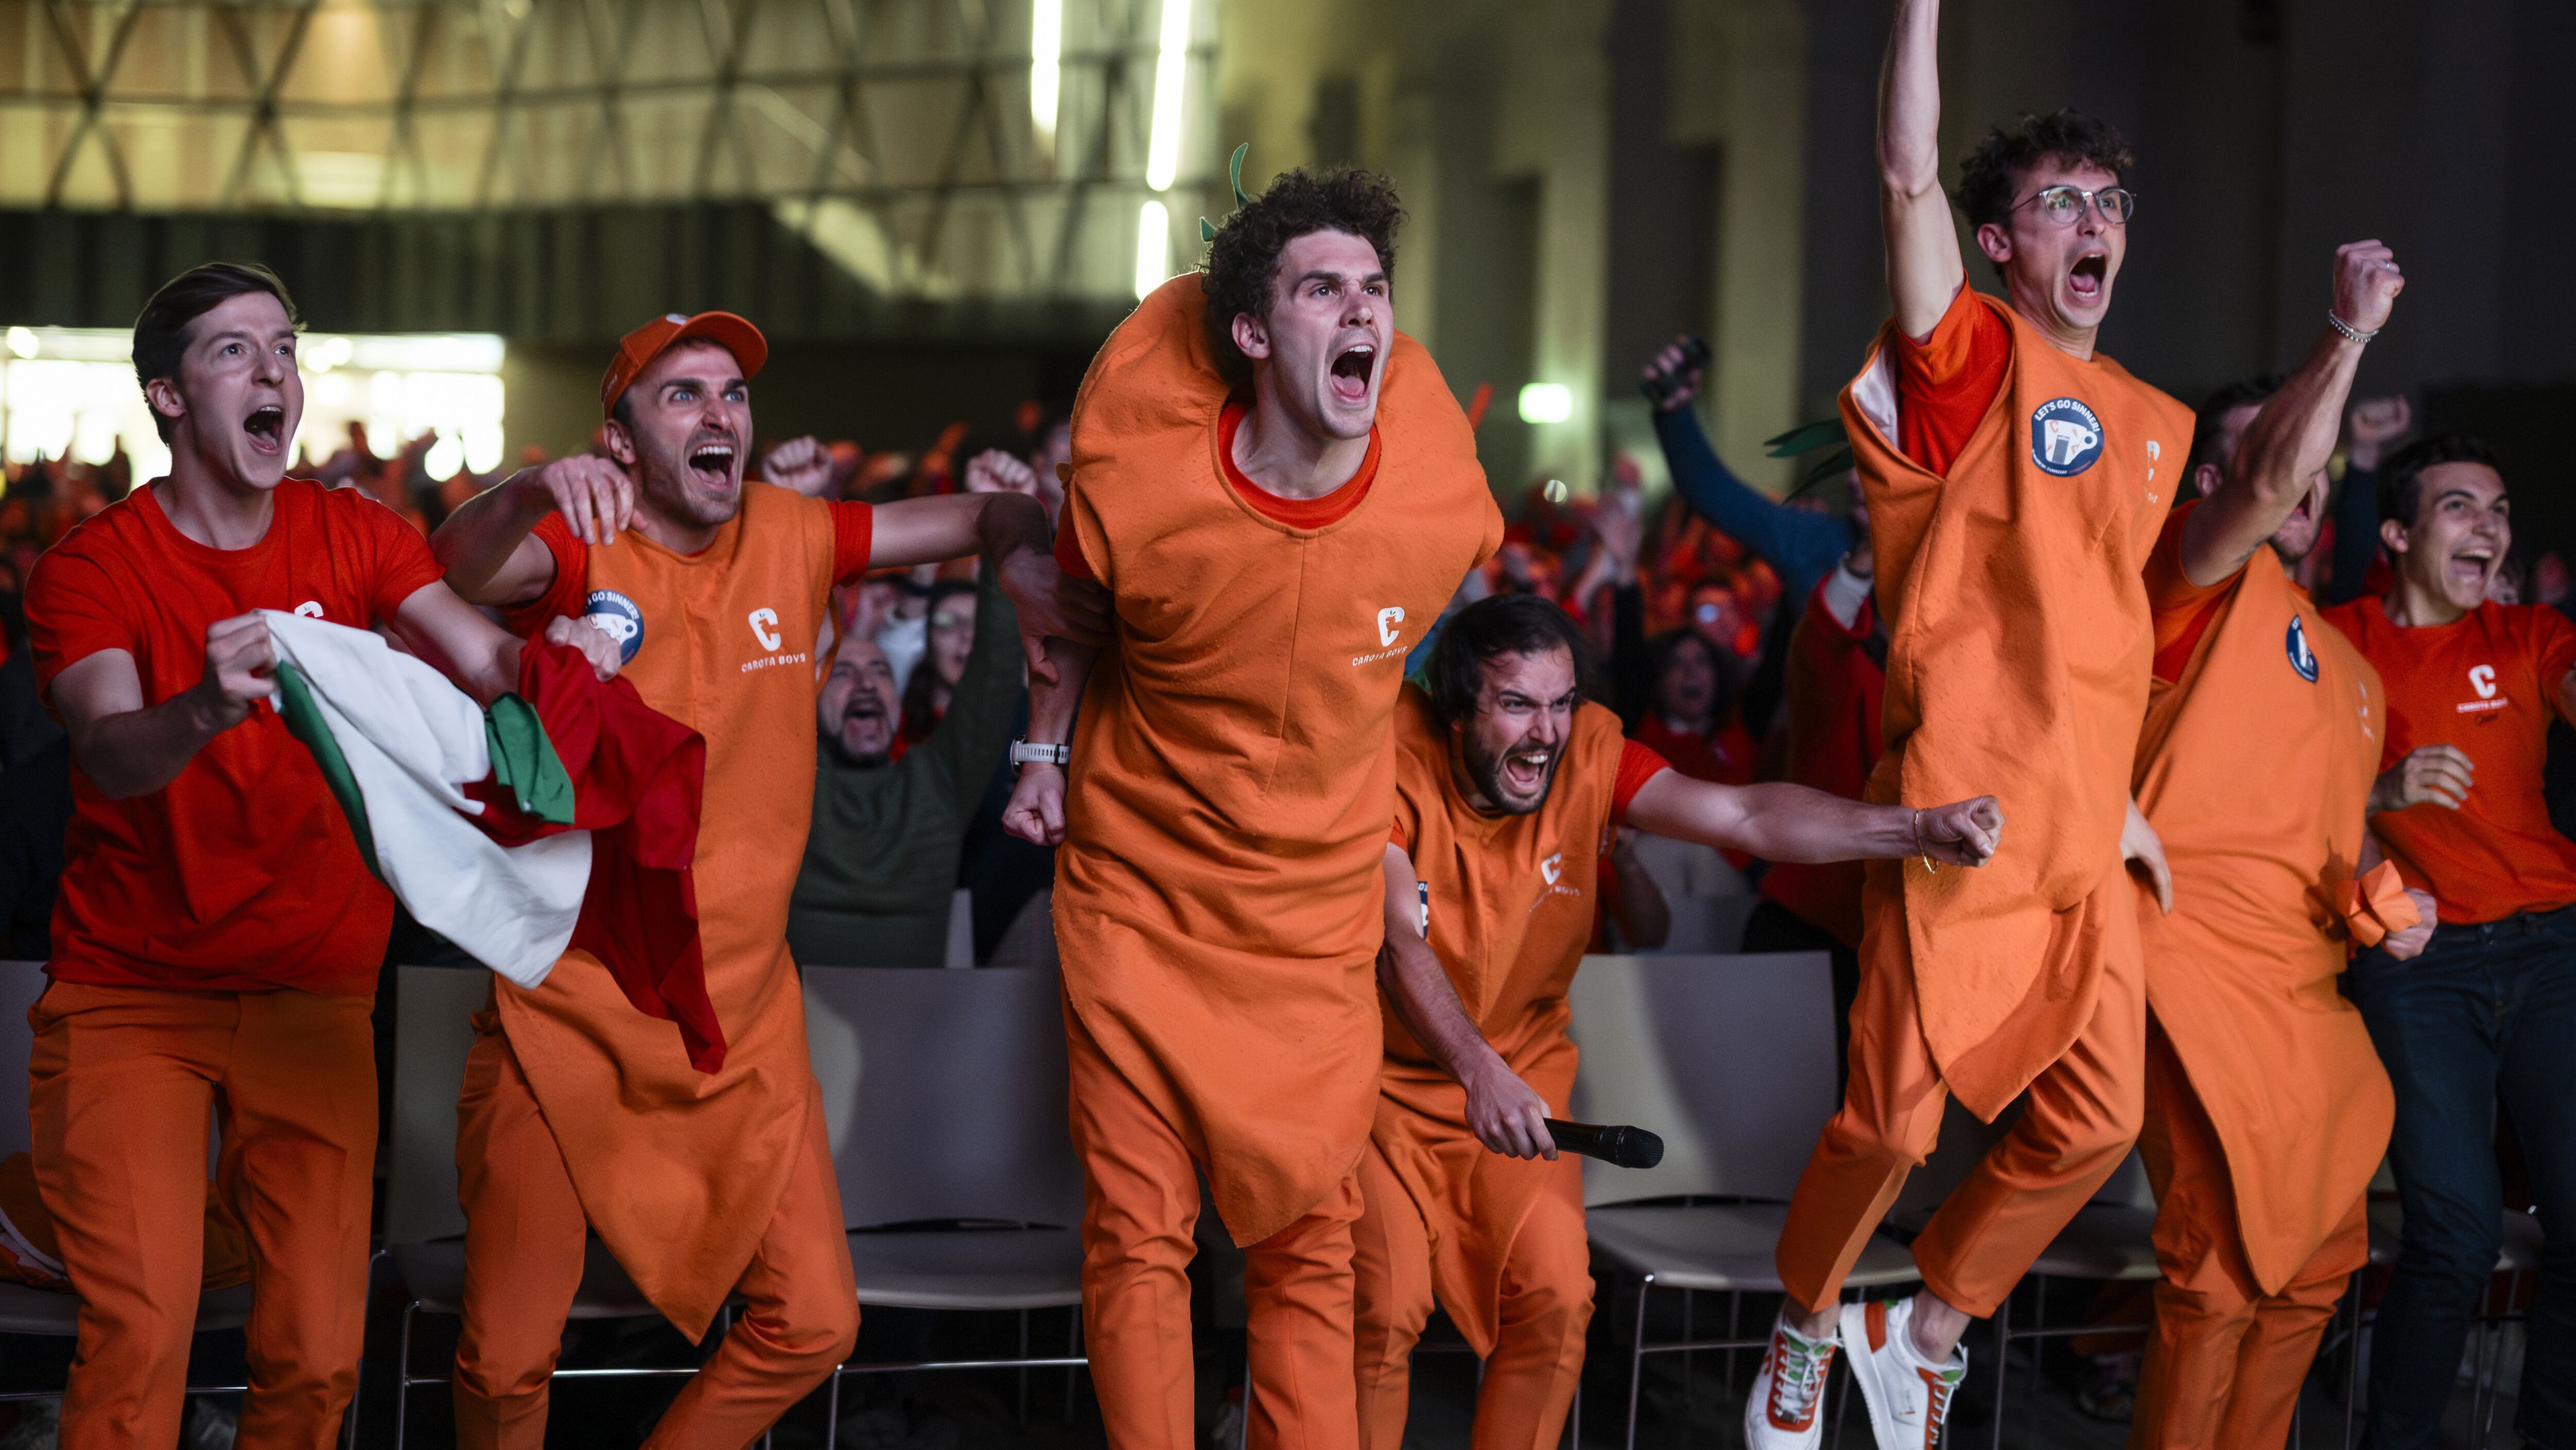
(957, 1178)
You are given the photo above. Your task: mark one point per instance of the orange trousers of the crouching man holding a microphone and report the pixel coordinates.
(1547, 1304)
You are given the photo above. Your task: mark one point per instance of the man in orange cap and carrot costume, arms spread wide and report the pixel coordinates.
(578, 1111)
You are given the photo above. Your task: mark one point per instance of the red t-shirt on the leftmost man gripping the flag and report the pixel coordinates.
(241, 874)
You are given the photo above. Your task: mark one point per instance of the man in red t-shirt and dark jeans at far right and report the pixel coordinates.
(2492, 1003)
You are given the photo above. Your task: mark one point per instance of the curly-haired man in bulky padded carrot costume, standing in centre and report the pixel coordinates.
(1279, 493)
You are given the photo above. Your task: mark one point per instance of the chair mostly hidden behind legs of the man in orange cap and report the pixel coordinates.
(424, 1222)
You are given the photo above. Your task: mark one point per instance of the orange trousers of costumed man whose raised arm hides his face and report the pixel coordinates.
(2227, 1361)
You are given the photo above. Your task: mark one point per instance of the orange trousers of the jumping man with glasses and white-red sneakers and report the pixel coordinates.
(2078, 1124)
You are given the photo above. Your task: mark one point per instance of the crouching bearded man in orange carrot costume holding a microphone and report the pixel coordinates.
(1506, 787)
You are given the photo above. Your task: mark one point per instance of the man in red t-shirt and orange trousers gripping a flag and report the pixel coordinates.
(218, 934)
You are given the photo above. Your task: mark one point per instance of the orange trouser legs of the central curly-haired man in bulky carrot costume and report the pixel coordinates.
(1137, 1219)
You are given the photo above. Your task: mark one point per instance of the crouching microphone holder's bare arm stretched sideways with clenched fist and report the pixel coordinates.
(1792, 823)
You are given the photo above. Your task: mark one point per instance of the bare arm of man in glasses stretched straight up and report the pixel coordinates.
(1926, 269)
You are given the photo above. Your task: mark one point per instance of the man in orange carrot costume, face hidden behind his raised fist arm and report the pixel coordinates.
(2266, 1106)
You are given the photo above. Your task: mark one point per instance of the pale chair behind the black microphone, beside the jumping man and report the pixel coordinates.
(1732, 1062)
